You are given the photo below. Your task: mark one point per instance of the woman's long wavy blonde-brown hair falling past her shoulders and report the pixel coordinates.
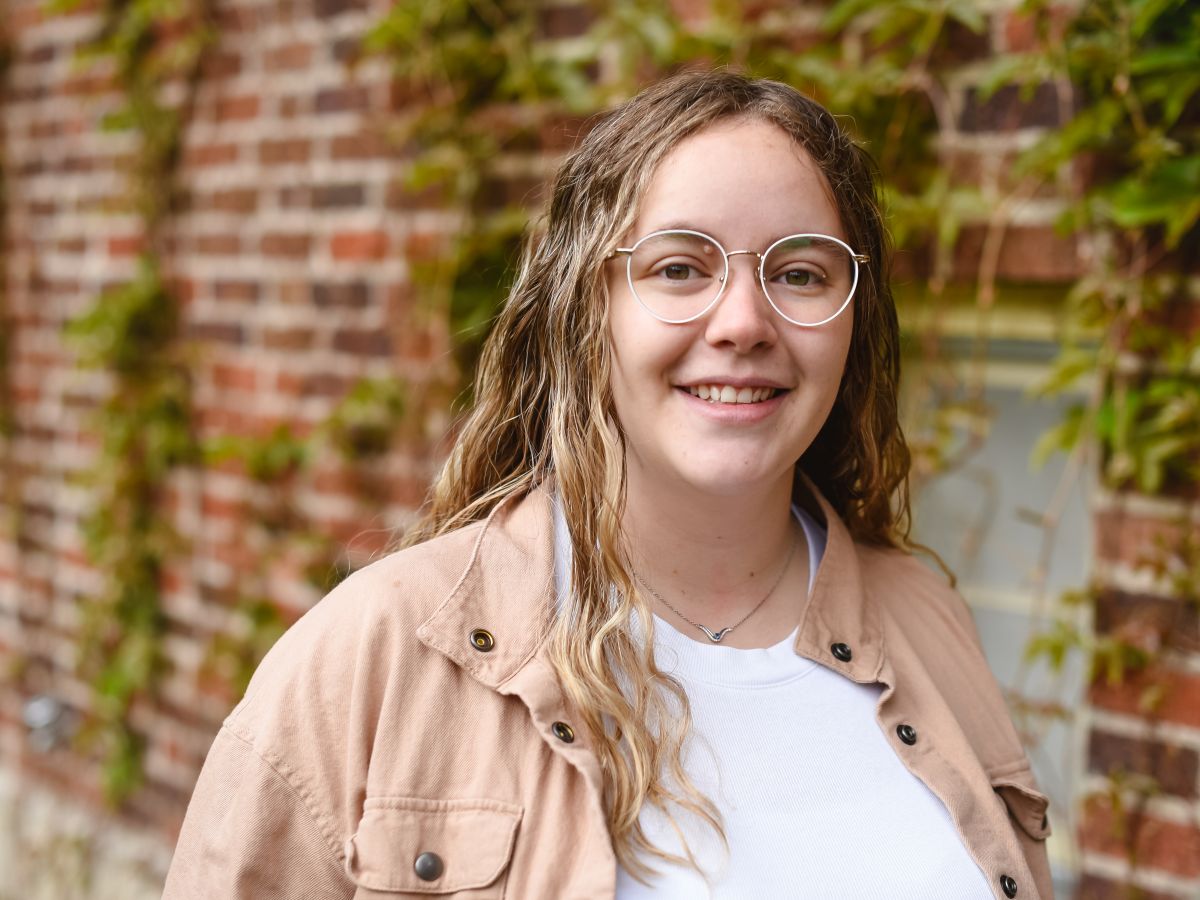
(544, 410)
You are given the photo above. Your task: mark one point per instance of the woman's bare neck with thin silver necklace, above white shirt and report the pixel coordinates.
(715, 559)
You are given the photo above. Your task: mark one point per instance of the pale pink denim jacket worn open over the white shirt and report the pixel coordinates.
(409, 737)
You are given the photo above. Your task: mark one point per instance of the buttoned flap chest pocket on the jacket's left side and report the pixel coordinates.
(409, 847)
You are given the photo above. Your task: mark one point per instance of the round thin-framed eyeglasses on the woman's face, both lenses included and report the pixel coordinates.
(680, 275)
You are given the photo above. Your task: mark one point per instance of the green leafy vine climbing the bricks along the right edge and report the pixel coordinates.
(1133, 327)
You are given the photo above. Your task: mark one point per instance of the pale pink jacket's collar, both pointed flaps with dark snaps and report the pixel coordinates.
(508, 589)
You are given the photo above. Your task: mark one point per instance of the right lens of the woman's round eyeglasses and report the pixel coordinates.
(809, 278)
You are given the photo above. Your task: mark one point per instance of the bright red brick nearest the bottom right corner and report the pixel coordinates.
(1166, 847)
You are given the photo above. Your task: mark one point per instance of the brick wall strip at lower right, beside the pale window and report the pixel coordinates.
(1149, 725)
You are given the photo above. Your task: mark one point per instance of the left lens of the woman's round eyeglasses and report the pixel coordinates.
(676, 274)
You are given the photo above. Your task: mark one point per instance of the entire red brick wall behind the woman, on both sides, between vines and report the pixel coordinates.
(293, 261)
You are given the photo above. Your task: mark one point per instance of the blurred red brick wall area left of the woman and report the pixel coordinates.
(290, 259)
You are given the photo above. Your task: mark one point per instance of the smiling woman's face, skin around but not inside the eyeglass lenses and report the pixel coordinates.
(747, 184)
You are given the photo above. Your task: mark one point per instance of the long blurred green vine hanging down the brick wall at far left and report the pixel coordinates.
(154, 50)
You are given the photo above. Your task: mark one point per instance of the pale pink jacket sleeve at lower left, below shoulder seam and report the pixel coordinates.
(250, 833)
